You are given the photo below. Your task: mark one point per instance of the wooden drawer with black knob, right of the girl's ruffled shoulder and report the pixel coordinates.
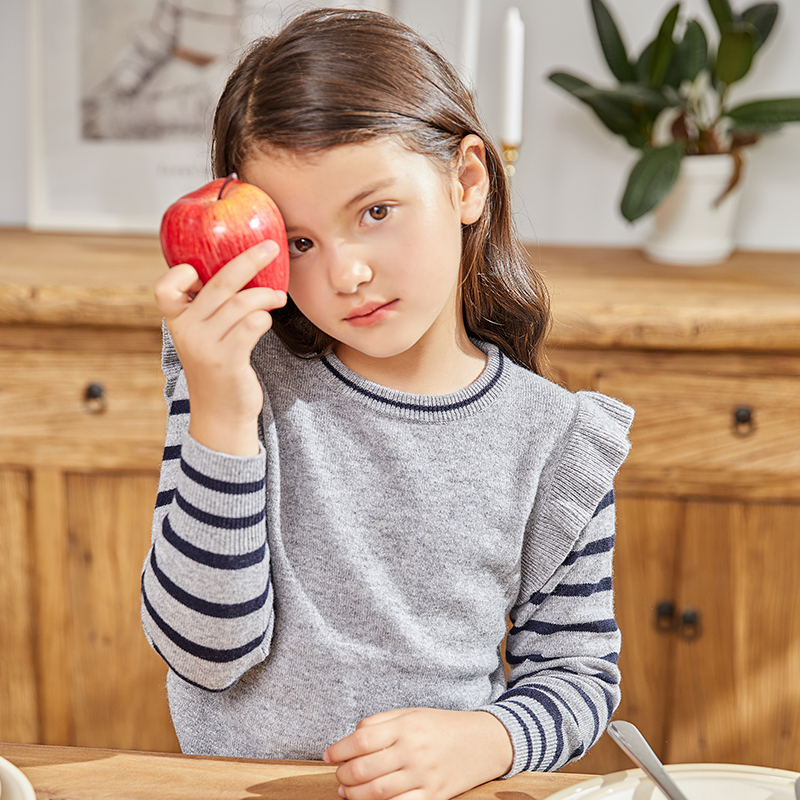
(716, 434)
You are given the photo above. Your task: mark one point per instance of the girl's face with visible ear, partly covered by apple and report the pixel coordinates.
(375, 240)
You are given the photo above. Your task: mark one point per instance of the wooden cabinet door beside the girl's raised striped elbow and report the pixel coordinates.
(102, 684)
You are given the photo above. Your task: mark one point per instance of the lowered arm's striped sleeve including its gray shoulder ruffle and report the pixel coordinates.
(563, 646)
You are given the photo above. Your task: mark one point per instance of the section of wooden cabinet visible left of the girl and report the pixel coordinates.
(82, 421)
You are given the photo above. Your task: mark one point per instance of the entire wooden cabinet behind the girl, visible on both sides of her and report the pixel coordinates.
(708, 501)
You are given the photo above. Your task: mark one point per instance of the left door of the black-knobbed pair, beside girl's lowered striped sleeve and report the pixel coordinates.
(646, 560)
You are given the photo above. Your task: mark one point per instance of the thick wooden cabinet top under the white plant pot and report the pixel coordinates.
(614, 298)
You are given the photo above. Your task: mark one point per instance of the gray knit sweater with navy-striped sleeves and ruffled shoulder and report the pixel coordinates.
(369, 557)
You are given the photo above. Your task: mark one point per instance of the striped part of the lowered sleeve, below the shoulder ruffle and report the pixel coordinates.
(562, 650)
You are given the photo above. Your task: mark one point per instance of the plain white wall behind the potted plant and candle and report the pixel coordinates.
(572, 171)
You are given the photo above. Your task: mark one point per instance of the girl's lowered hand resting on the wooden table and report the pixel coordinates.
(420, 754)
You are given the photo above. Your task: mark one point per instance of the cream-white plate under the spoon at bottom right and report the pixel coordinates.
(698, 782)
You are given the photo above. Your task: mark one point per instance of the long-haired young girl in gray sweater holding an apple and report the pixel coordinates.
(374, 475)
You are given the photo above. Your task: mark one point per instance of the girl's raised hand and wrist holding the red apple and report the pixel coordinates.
(215, 328)
